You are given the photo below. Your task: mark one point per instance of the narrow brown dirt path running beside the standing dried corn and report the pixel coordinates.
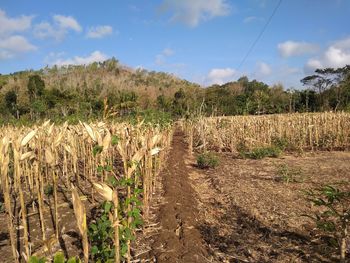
(179, 240)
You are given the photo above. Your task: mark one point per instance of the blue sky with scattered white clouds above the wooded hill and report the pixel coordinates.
(204, 41)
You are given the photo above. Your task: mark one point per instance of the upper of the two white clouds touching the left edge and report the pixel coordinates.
(10, 25)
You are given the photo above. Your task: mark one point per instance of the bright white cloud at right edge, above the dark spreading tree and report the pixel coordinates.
(336, 55)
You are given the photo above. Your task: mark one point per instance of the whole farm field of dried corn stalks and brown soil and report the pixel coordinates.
(118, 192)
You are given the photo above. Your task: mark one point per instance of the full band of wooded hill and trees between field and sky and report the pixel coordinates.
(78, 92)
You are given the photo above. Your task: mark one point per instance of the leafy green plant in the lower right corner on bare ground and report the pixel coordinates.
(334, 213)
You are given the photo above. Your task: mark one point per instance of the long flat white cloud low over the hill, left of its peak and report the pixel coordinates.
(95, 56)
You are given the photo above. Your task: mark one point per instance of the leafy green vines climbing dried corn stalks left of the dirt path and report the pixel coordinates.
(101, 231)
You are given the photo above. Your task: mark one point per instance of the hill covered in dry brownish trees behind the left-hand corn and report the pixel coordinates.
(79, 91)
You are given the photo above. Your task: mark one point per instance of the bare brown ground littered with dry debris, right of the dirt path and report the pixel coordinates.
(248, 214)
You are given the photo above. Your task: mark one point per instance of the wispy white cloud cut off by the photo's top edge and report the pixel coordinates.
(193, 12)
